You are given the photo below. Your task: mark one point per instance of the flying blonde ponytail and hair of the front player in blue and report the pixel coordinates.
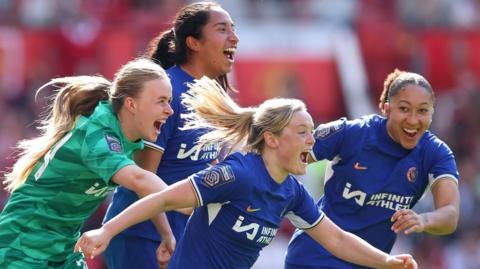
(210, 107)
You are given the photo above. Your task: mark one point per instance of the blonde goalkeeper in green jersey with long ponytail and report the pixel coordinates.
(84, 152)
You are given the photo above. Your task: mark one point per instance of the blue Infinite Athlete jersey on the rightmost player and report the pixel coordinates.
(368, 178)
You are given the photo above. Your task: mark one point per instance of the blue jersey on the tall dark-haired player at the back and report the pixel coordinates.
(181, 158)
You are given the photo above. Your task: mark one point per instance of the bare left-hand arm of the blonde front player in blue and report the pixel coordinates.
(178, 195)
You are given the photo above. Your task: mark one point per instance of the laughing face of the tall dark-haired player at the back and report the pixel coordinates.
(216, 48)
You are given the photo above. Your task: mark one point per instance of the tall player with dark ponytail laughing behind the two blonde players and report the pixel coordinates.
(201, 42)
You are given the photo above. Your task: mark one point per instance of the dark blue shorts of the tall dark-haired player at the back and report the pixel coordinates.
(126, 252)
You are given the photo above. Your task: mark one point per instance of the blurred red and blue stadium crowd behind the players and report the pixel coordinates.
(42, 39)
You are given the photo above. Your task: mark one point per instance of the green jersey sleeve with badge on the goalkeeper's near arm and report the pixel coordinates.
(104, 155)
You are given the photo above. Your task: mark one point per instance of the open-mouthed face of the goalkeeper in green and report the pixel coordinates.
(152, 108)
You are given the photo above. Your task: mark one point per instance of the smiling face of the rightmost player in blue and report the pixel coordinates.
(409, 114)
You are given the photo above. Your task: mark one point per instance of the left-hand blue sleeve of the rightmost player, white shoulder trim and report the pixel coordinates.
(328, 139)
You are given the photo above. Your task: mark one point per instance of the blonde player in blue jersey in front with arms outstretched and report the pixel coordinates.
(242, 200)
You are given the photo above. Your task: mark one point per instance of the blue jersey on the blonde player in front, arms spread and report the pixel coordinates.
(240, 211)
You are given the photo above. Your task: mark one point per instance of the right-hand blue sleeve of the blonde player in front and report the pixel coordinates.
(303, 212)
